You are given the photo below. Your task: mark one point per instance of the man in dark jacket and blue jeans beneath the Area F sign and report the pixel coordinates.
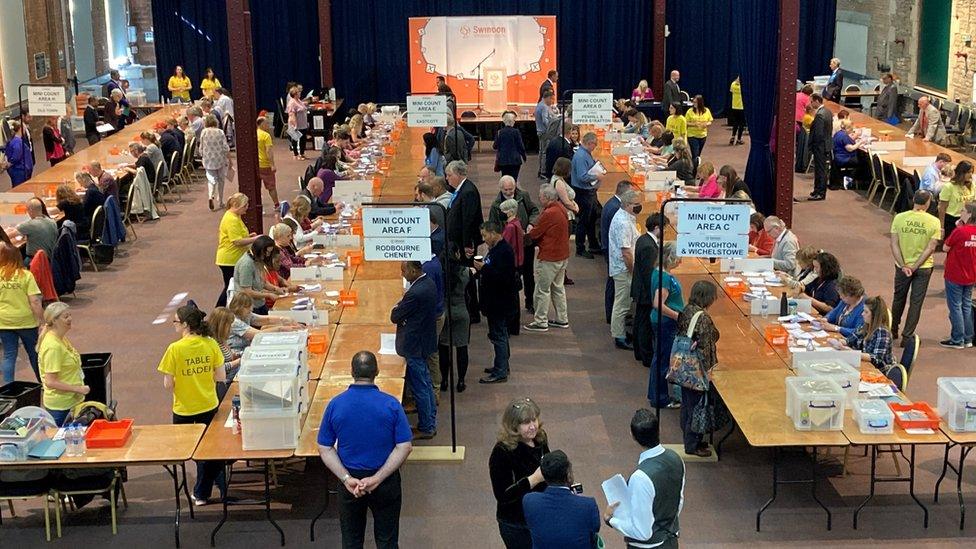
(415, 316)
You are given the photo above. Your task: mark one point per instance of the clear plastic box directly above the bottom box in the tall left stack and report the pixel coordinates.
(266, 387)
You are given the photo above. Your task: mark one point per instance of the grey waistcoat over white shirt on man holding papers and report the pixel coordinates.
(667, 472)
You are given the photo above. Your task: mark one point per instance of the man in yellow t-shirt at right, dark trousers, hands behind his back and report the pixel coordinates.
(914, 236)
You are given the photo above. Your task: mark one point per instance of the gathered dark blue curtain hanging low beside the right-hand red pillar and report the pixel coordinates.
(758, 59)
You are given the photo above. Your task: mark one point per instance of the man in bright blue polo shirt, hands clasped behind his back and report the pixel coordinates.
(364, 438)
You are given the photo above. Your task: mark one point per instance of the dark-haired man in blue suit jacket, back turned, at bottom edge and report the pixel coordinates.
(558, 518)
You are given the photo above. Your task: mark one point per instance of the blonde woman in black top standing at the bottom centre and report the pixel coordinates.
(514, 468)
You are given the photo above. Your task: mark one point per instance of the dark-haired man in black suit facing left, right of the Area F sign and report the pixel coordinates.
(499, 290)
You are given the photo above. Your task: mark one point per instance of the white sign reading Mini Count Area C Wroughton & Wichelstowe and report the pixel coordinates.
(713, 230)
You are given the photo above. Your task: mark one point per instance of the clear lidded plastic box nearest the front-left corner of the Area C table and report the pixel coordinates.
(815, 403)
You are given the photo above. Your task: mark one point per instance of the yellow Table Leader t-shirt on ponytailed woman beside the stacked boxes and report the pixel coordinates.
(192, 361)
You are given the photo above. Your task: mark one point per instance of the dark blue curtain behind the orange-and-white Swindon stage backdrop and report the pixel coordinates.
(600, 44)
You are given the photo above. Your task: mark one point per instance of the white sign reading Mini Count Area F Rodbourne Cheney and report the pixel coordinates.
(396, 234)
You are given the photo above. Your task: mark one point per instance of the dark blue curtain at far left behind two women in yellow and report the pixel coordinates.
(192, 34)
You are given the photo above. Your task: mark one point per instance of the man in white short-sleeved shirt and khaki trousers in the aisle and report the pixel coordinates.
(622, 240)
